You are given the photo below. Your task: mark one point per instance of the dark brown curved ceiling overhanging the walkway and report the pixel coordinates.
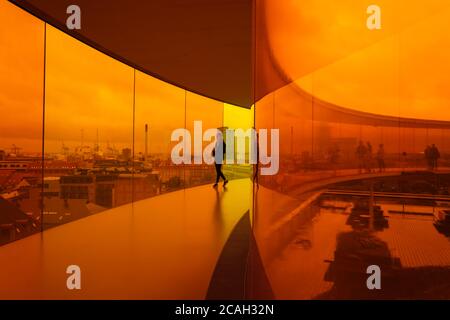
(203, 46)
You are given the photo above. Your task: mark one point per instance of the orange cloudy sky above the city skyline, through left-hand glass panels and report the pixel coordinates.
(88, 94)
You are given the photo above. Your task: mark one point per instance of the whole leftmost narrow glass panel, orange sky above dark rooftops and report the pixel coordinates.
(21, 106)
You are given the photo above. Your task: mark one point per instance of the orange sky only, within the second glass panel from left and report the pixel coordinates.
(86, 91)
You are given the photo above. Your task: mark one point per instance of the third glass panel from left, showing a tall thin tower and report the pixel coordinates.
(160, 109)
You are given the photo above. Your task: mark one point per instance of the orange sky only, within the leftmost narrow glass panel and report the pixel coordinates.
(21, 78)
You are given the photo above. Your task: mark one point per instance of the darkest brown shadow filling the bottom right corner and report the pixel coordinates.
(357, 250)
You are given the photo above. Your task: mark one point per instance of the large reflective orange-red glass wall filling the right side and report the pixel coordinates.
(364, 125)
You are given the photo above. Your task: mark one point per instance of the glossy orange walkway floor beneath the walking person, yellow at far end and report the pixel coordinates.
(164, 247)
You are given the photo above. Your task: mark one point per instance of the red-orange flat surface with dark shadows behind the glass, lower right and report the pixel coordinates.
(329, 252)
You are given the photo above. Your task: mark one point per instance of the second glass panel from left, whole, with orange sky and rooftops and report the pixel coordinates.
(88, 131)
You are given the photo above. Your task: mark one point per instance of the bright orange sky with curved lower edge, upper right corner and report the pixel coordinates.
(401, 70)
